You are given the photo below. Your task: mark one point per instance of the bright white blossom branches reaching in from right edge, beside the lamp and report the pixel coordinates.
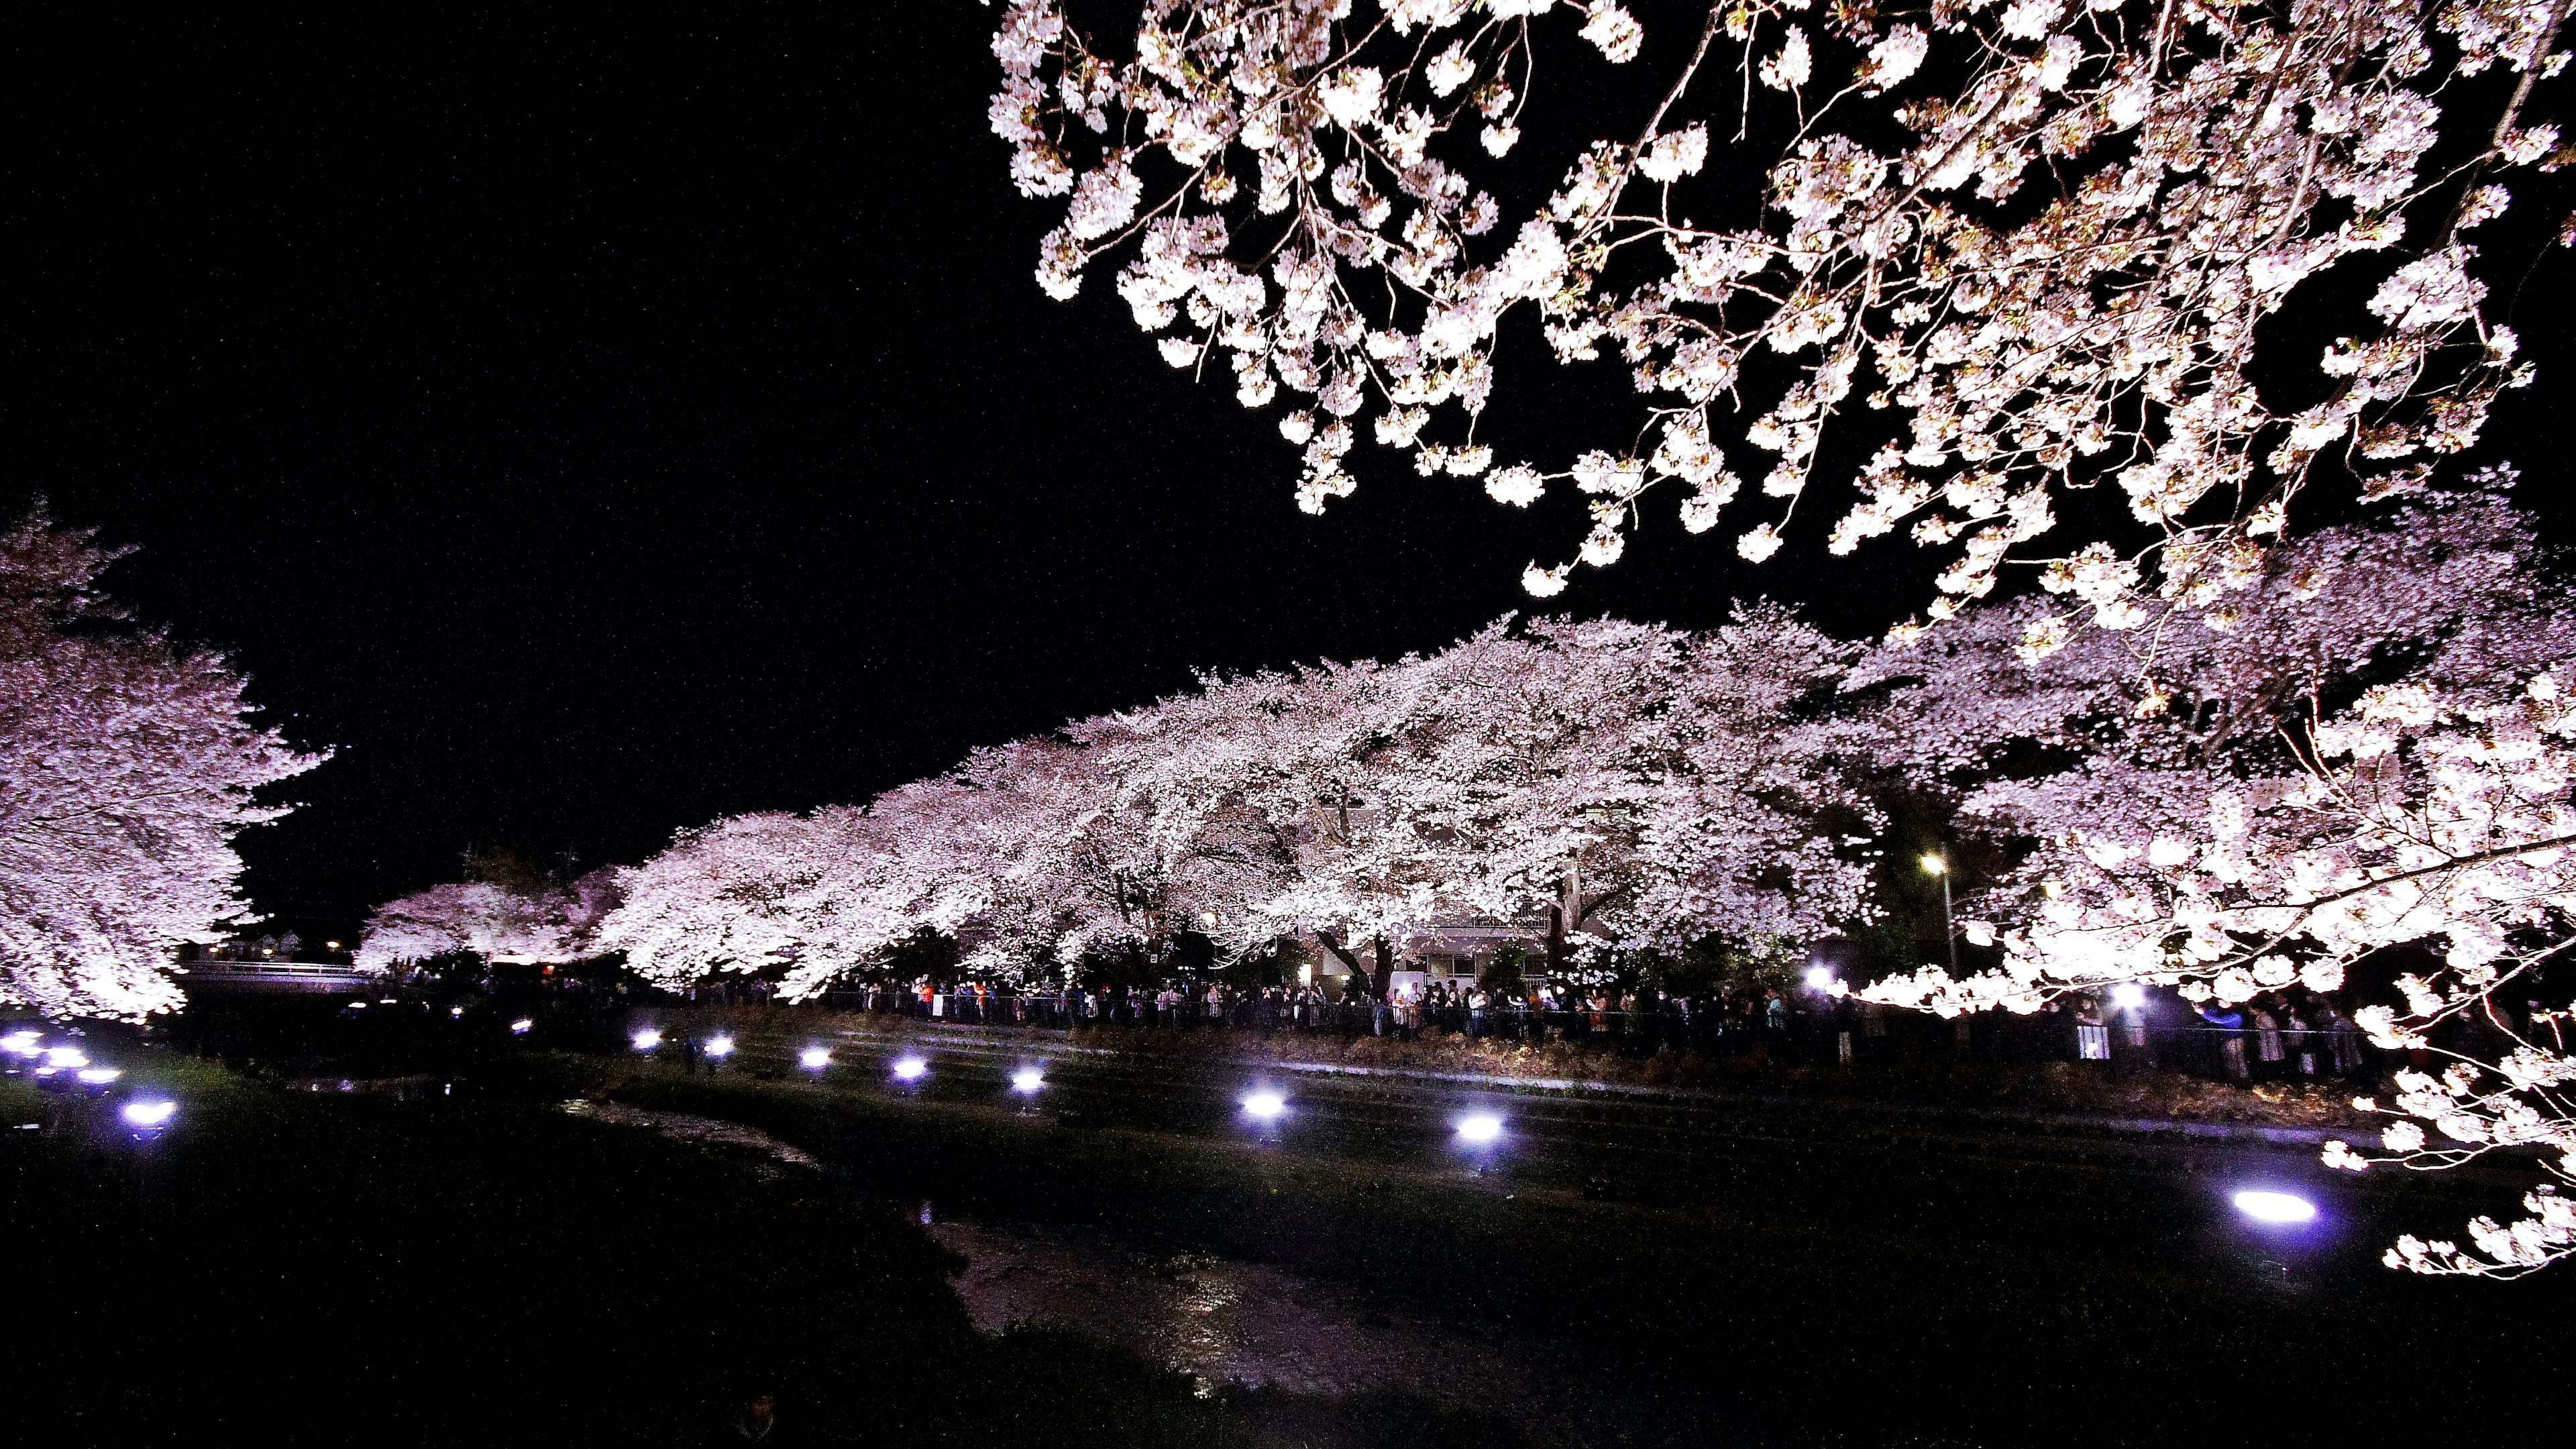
(2418, 816)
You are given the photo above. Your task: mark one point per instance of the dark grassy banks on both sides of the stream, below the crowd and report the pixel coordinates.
(488, 1270)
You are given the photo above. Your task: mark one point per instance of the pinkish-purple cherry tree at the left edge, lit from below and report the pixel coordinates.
(128, 767)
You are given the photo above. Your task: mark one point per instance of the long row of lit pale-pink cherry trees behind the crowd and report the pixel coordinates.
(1593, 785)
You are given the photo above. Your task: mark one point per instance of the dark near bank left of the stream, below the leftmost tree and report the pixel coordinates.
(346, 1270)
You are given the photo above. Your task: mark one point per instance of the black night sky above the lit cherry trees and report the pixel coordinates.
(594, 429)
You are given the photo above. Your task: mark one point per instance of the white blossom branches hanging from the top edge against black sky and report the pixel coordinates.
(1315, 228)
